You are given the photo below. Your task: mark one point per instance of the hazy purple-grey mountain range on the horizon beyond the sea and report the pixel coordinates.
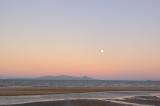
(64, 77)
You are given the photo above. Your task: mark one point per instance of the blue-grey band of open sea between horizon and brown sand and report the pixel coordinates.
(77, 83)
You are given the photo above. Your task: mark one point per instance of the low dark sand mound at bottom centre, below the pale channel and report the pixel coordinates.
(72, 103)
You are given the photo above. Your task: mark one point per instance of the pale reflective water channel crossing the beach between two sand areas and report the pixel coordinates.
(6, 100)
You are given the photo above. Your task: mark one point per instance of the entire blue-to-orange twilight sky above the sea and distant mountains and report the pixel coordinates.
(54, 37)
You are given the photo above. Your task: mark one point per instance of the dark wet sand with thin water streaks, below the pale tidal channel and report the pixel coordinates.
(131, 101)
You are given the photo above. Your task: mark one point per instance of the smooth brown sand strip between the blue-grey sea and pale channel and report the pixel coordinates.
(19, 91)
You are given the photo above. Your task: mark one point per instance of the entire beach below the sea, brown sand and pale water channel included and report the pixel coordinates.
(79, 96)
